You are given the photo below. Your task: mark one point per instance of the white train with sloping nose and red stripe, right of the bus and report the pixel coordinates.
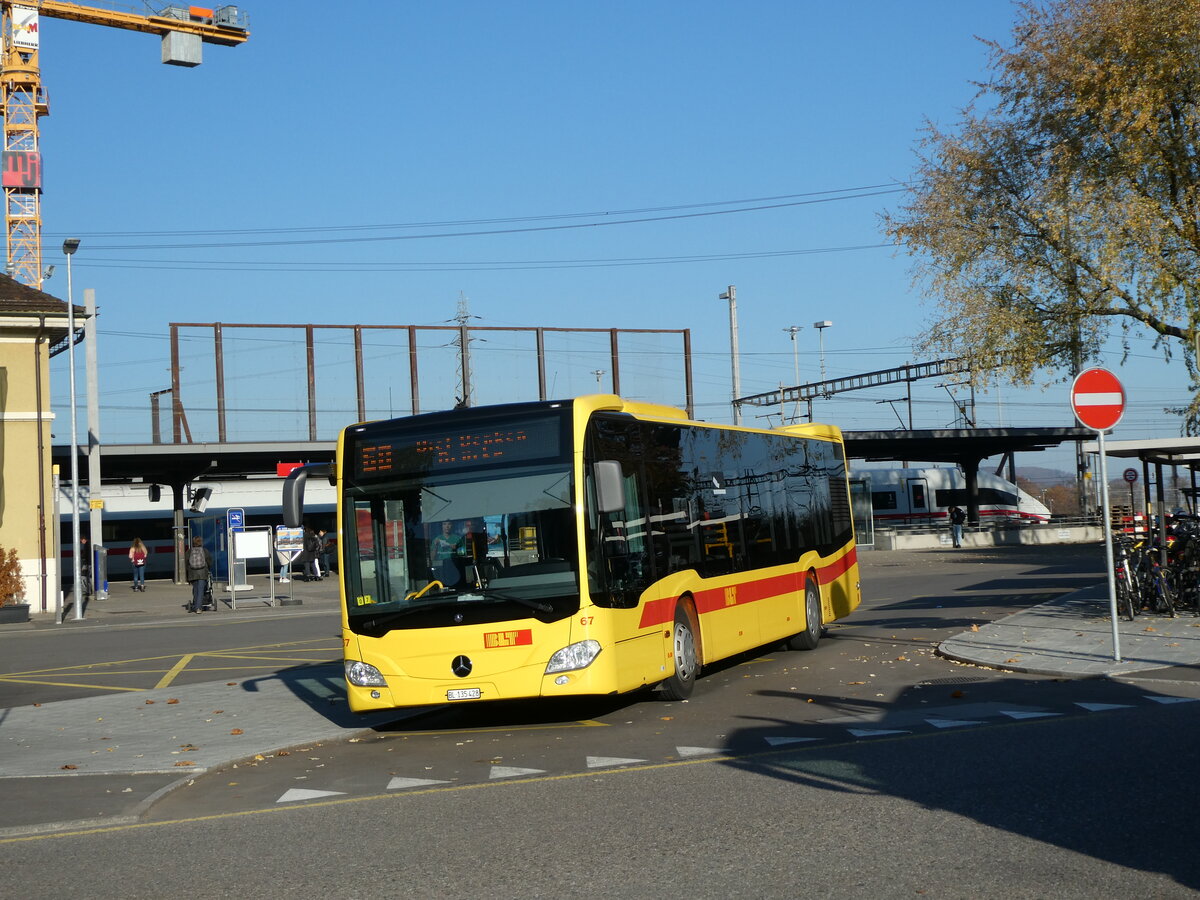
(925, 496)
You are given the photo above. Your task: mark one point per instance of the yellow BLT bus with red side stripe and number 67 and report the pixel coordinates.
(589, 547)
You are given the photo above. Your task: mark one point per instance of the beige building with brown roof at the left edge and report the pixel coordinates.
(33, 328)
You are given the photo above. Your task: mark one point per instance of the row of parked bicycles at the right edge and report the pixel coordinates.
(1159, 573)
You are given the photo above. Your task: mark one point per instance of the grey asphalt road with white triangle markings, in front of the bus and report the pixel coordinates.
(869, 767)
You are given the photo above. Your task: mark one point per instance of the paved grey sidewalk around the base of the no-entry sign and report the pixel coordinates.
(1072, 637)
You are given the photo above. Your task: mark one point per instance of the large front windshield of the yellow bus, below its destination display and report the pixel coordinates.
(494, 537)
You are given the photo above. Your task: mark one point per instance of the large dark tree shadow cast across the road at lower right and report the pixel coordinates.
(1105, 782)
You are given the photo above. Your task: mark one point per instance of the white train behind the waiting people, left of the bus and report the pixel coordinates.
(129, 514)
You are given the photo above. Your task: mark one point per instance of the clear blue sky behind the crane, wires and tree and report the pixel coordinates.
(568, 165)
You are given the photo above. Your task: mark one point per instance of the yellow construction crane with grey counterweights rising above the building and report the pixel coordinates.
(23, 100)
